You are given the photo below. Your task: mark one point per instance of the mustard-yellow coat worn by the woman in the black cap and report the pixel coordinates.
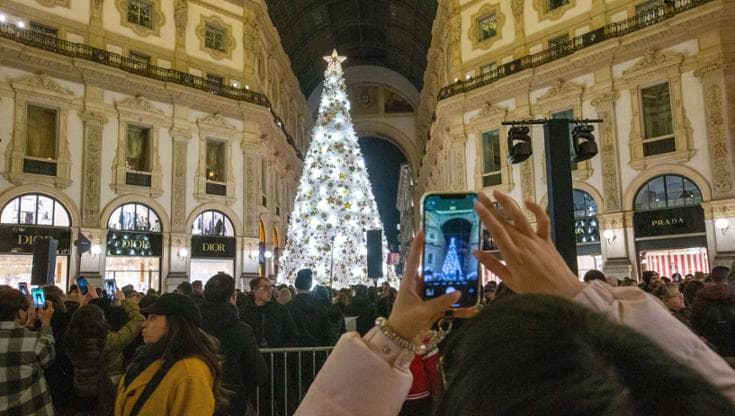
(186, 390)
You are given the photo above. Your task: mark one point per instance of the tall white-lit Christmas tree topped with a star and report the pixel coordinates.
(334, 204)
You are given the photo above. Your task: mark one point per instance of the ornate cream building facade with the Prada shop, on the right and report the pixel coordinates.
(661, 75)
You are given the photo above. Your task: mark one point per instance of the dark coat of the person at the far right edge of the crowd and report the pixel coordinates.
(713, 315)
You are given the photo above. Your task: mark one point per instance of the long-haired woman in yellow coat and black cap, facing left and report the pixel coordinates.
(178, 371)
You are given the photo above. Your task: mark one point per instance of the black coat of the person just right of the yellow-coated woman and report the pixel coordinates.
(244, 366)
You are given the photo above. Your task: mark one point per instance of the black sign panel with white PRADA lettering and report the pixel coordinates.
(672, 221)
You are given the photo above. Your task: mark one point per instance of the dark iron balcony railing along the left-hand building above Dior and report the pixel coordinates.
(133, 66)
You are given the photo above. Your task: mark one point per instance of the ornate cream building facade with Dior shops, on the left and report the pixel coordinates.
(169, 133)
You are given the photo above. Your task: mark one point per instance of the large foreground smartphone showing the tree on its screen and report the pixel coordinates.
(451, 235)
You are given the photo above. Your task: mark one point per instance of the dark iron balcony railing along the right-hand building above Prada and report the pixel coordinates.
(643, 20)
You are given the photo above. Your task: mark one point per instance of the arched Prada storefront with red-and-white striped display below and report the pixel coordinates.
(669, 227)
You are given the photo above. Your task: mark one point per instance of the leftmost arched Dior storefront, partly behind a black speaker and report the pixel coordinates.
(23, 220)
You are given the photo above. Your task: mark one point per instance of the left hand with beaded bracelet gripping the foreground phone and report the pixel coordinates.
(412, 317)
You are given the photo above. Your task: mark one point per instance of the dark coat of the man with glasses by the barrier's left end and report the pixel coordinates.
(272, 324)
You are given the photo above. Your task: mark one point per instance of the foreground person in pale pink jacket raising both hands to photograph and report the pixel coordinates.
(629, 335)
